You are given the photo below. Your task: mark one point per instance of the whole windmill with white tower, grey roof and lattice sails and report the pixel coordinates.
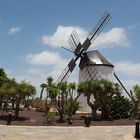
(93, 65)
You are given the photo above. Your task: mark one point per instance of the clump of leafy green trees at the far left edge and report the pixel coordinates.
(13, 92)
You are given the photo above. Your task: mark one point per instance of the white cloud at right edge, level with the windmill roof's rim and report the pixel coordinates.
(128, 68)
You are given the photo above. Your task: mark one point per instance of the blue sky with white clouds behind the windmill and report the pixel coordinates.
(33, 31)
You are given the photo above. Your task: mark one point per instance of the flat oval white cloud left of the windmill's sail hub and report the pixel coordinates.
(44, 58)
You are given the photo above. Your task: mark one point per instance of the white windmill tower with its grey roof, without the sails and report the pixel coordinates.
(94, 66)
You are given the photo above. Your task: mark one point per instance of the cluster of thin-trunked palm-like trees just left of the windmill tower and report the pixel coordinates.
(67, 100)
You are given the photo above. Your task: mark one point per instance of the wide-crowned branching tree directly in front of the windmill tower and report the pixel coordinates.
(97, 92)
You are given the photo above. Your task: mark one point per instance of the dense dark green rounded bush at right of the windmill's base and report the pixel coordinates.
(118, 107)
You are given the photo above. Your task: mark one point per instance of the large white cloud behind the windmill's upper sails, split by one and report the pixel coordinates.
(115, 37)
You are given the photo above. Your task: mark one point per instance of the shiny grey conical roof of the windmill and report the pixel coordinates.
(95, 57)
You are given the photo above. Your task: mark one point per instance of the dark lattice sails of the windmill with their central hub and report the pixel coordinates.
(81, 49)
